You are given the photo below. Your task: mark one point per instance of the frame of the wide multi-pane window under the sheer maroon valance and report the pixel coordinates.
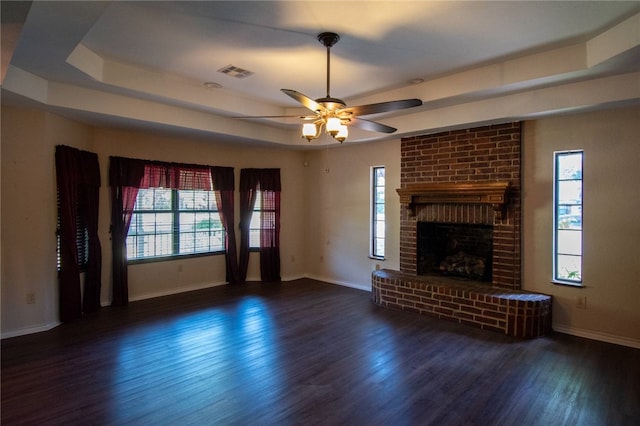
(175, 211)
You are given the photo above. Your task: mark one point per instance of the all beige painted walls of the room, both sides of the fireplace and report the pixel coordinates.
(325, 215)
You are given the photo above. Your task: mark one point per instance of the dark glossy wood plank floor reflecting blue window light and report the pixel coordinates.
(306, 352)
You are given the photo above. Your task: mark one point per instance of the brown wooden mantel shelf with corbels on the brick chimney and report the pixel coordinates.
(494, 193)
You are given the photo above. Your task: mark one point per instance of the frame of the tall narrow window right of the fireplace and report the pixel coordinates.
(557, 226)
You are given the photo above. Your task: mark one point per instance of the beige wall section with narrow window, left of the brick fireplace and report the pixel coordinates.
(338, 211)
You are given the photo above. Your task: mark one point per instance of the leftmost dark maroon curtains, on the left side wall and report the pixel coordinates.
(78, 182)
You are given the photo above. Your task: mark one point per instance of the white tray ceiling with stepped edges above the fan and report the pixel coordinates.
(144, 63)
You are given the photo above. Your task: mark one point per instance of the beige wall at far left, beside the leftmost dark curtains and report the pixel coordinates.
(29, 214)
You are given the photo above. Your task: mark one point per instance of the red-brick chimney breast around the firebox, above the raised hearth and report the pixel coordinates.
(462, 159)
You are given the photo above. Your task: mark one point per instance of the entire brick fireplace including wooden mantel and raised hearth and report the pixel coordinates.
(464, 178)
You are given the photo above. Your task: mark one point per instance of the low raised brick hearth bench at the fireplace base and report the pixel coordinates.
(511, 312)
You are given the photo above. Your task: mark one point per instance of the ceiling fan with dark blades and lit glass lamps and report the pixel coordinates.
(333, 114)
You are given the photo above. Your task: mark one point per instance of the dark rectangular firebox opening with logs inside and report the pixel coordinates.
(462, 251)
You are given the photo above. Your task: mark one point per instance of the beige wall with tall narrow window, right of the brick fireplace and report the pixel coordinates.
(611, 270)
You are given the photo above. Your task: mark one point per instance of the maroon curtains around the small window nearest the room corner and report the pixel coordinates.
(268, 182)
